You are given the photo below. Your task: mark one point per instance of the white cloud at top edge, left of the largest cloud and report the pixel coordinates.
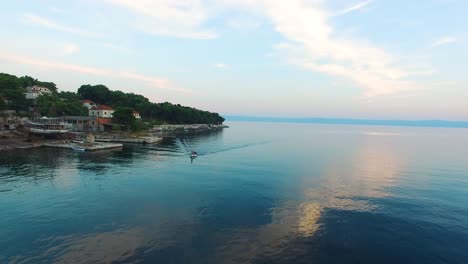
(182, 19)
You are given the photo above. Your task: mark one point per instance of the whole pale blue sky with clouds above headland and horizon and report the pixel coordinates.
(393, 59)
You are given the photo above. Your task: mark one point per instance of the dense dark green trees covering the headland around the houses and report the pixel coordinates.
(13, 89)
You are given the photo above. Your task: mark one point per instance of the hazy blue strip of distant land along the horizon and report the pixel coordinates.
(350, 121)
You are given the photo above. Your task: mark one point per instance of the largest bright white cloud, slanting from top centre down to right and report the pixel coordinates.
(311, 42)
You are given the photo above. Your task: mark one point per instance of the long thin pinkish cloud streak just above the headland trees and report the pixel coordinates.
(155, 82)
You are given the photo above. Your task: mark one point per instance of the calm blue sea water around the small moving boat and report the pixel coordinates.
(258, 193)
